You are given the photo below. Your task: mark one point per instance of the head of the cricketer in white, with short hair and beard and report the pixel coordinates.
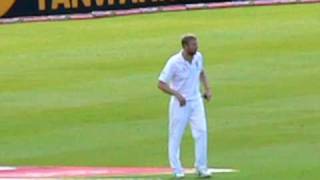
(189, 44)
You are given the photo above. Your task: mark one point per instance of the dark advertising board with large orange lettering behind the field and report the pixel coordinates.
(14, 8)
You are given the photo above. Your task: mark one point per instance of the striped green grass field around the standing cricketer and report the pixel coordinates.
(84, 92)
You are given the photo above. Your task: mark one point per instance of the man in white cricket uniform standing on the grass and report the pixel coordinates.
(181, 78)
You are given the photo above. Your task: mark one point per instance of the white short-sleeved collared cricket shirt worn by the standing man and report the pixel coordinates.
(183, 76)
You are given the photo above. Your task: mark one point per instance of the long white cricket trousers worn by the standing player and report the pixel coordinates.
(192, 113)
